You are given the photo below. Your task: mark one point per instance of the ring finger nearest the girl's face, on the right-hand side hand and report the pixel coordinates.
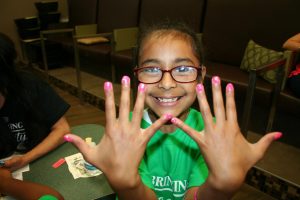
(204, 107)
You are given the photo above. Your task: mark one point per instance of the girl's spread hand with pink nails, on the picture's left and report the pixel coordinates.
(123, 144)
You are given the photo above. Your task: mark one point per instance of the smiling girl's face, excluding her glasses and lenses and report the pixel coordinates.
(168, 96)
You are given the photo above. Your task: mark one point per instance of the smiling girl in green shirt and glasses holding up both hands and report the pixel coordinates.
(169, 150)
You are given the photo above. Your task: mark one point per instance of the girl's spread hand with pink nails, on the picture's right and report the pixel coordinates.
(227, 153)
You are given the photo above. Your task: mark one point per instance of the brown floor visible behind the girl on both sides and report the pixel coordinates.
(281, 161)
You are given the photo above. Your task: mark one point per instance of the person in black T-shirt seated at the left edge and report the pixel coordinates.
(31, 114)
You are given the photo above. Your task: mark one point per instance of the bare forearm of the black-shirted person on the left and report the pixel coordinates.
(54, 139)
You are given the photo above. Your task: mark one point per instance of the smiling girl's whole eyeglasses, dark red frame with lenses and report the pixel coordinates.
(181, 74)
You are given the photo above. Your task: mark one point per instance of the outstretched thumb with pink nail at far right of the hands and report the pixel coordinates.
(262, 145)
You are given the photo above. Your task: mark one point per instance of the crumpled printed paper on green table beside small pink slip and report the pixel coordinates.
(77, 167)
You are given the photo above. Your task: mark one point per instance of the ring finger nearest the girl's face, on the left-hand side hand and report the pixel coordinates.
(139, 104)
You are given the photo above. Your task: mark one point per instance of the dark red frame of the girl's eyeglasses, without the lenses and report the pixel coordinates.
(199, 69)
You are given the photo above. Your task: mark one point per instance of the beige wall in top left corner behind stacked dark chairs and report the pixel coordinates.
(13, 9)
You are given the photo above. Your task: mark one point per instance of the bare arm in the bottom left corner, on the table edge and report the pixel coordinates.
(24, 189)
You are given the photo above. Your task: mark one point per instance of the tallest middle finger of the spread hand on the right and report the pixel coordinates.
(218, 100)
